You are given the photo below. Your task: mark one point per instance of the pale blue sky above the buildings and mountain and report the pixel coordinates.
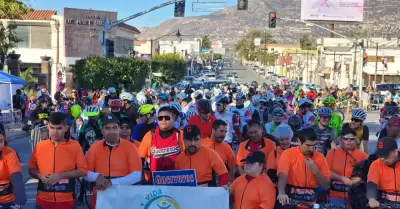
(125, 8)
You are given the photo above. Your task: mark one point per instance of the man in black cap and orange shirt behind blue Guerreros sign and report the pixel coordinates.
(205, 161)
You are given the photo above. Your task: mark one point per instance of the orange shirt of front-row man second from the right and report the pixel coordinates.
(342, 163)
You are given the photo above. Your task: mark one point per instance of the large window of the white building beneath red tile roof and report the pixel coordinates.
(34, 36)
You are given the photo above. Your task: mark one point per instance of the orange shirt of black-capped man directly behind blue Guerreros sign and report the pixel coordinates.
(204, 161)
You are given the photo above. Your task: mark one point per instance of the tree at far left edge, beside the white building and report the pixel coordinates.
(9, 9)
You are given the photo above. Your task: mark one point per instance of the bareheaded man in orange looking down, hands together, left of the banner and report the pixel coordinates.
(57, 163)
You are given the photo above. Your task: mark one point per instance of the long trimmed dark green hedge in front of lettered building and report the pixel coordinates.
(99, 72)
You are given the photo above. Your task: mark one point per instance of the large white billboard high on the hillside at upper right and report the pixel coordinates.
(332, 10)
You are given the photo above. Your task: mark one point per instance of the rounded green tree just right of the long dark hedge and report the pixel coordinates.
(172, 67)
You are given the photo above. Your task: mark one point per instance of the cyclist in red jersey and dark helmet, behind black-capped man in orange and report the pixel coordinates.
(204, 119)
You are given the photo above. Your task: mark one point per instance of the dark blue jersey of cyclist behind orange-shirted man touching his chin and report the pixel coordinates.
(324, 139)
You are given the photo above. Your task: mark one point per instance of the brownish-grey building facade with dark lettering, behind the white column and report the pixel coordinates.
(82, 28)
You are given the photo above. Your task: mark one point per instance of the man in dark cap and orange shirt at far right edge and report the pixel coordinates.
(384, 174)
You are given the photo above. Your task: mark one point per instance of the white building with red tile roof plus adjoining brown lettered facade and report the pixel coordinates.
(51, 43)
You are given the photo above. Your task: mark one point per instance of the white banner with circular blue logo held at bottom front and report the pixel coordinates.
(162, 197)
